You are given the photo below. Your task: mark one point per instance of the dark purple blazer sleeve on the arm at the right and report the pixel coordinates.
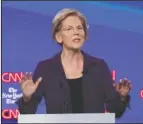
(112, 98)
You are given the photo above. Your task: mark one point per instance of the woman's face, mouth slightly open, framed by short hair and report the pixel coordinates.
(72, 34)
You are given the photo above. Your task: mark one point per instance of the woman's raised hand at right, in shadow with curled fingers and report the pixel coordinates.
(123, 87)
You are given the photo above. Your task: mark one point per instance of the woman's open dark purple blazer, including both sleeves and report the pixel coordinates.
(98, 90)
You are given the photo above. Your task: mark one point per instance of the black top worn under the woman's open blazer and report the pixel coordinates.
(76, 95)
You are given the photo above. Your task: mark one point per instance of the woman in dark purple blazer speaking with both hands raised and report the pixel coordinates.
(73, 81)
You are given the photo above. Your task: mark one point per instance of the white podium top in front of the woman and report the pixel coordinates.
(67, 118)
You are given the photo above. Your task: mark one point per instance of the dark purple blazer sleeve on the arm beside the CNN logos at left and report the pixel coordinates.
(31, 106)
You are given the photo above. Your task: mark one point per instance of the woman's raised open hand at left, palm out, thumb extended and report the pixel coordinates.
(28, 87)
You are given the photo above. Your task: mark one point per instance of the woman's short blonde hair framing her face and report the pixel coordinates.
(63, 14)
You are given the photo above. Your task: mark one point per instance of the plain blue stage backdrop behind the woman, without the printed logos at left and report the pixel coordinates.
(115, 34)
